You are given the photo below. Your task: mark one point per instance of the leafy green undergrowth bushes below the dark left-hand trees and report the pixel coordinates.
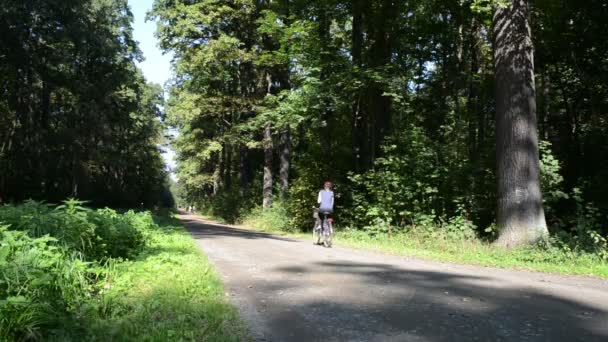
(52, 260)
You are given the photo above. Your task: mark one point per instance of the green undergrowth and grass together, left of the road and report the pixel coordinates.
(70, 273)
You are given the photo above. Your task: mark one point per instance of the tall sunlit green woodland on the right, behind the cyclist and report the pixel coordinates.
(417, 110)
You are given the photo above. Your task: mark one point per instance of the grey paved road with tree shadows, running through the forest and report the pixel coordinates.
(290, 290)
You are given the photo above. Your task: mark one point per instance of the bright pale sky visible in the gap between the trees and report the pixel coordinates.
(156, 66)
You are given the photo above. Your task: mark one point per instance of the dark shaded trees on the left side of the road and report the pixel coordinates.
(77, 118)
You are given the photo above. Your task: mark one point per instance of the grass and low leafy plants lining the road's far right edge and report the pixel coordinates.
(456, 241)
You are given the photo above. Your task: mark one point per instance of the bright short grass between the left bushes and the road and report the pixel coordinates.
(170, 292)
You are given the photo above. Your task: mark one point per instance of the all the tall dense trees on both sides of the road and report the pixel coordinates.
(489, 114)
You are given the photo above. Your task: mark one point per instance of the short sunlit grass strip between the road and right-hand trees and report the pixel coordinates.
(472, 252)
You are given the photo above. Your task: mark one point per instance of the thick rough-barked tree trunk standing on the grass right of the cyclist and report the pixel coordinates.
(520, 215)
